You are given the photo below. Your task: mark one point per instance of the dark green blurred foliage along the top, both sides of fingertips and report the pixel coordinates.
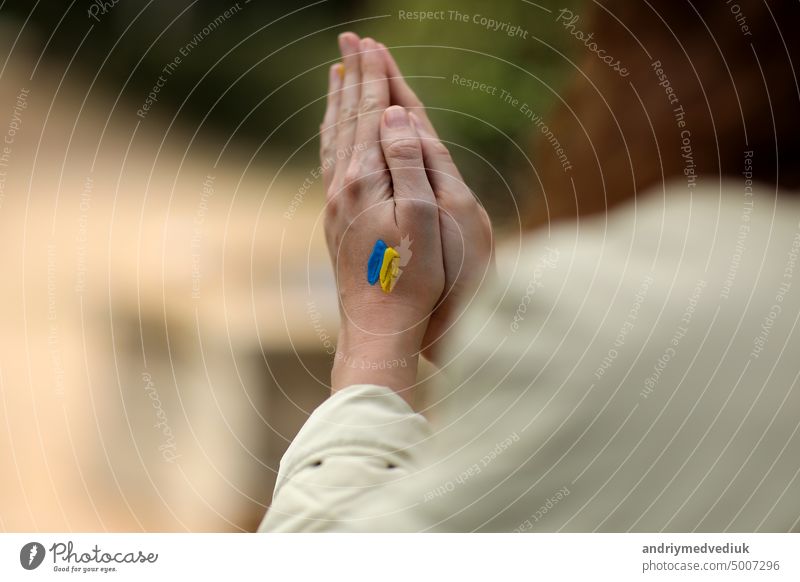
(259, 76)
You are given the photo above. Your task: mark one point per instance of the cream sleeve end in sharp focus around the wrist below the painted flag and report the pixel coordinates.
(361, 438)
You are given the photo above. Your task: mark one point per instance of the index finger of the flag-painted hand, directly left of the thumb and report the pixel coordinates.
(374, 93)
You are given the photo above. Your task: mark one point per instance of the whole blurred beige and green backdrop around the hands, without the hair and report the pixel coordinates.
(168, 312)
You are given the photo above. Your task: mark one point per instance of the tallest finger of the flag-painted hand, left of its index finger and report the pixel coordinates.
(348, 104)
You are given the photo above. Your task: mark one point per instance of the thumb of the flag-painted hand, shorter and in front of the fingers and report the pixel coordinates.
(403, 153)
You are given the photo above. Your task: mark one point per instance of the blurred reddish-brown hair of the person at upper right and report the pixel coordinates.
(731, 66)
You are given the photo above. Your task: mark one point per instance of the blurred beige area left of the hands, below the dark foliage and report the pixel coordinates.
(158, 348)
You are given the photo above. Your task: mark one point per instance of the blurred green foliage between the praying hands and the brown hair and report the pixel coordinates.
(489, 136)
